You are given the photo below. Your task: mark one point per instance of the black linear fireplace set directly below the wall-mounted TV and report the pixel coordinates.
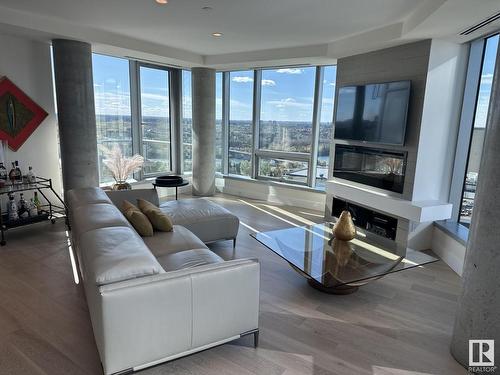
(384, 169)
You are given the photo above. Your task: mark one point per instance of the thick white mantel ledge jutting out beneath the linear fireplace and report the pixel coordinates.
(416, 211)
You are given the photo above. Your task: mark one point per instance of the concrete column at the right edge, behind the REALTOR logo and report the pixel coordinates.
(478, 315)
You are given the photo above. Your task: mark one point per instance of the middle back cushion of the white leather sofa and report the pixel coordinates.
(94, 216)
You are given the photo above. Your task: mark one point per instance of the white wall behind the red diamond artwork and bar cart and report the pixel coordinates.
(28, 65)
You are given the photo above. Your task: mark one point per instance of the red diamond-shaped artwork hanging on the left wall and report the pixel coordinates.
(19, 115)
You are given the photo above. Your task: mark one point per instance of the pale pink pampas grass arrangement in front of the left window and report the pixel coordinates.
(120, 166)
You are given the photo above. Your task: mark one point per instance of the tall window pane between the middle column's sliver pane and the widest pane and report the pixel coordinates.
(240, 122)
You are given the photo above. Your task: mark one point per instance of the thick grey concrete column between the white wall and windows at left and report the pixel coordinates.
(76, 113)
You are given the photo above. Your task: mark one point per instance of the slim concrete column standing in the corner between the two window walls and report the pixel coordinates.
(203, 94)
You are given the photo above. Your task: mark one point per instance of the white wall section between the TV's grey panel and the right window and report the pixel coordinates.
(440, 120)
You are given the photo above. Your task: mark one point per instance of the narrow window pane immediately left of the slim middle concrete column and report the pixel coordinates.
(187, 122)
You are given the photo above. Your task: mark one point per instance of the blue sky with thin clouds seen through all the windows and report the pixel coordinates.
(287, 94)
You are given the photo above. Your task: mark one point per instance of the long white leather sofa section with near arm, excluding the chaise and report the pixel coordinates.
(157, 298)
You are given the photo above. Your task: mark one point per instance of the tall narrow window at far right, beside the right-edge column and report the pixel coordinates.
(479, 128)
